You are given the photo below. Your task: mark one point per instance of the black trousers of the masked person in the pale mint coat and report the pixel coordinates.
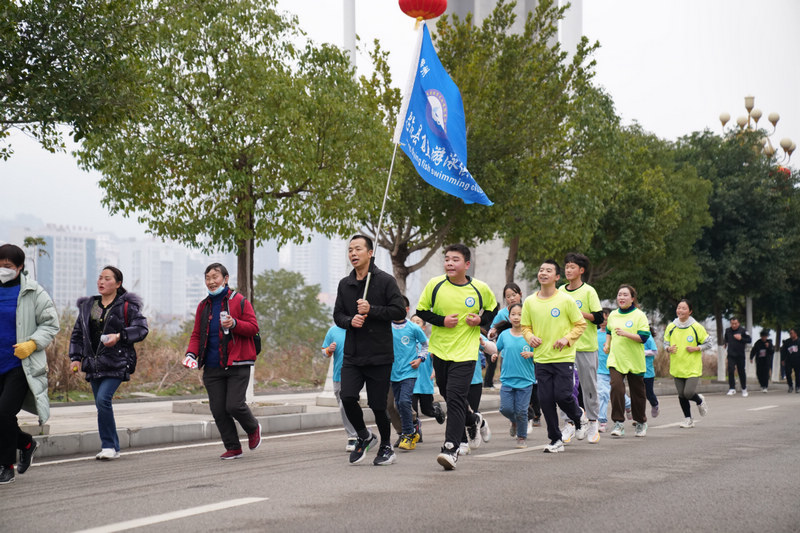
(13, 389)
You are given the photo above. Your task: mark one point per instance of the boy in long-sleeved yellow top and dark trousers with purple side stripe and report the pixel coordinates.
(552, 324)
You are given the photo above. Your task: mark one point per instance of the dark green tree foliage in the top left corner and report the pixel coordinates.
(63, 62)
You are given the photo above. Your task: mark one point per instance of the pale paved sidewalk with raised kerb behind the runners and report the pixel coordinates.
(72, 429)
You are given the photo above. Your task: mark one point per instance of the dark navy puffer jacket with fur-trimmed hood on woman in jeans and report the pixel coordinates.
(118, 361)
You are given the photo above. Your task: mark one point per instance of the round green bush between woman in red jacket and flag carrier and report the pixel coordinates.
(289, 313)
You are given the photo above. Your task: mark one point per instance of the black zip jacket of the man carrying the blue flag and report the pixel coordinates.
(371, 344)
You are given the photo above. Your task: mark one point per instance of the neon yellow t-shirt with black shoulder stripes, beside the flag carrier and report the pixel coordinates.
(462, 342)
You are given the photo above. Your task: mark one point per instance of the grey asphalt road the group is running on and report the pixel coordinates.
(737, 470)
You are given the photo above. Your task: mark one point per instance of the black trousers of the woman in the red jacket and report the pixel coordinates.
(227, 388)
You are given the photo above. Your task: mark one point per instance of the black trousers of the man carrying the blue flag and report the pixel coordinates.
(376, 378)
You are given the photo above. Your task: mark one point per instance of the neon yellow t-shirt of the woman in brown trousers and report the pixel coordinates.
(627, 355)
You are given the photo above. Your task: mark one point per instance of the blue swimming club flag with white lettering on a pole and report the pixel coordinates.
(431, 128)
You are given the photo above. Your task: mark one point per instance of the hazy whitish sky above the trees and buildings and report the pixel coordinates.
(673, 66)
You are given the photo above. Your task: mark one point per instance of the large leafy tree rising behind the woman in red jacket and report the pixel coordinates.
(240, 135)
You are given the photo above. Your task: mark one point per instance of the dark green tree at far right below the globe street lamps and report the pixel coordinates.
(749, 248)
